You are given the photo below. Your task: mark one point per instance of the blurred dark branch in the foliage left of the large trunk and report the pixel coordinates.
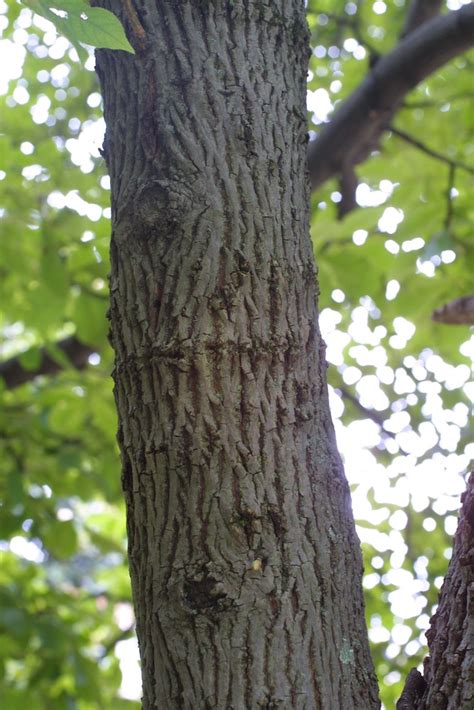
(14, 373)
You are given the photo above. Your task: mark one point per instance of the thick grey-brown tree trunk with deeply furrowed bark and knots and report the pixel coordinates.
(245, 565)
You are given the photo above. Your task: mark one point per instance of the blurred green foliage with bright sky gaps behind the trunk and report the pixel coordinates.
(398, 379)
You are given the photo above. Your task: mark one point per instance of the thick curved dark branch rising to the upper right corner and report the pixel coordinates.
(356, 127)
